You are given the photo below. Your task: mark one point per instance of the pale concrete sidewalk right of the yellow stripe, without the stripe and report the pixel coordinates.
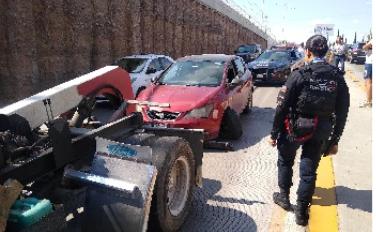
(352, 164)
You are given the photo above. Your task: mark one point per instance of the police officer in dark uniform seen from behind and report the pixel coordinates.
(313, 98)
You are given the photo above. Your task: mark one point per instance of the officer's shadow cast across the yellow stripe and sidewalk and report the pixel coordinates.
(355, 199)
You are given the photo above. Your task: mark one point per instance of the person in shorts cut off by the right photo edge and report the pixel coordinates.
(368, 74)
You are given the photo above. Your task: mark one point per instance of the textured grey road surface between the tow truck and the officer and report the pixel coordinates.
(238, 185)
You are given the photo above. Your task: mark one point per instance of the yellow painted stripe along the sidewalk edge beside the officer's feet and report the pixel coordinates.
(323, 211)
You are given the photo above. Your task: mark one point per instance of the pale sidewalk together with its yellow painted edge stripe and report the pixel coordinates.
(343, 194)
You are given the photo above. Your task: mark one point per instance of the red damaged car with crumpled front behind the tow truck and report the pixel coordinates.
(201, 92)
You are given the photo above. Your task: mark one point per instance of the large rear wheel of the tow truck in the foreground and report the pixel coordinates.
(174, 185)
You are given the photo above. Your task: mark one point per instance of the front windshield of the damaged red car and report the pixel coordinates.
(194, 73)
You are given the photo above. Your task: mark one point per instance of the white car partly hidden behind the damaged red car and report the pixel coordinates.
(142, 68)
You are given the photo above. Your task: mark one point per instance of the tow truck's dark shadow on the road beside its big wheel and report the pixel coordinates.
(211, 212)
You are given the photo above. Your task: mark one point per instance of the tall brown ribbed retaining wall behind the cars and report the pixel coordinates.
(46, 42)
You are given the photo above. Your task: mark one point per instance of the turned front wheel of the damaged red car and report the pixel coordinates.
(231, 127)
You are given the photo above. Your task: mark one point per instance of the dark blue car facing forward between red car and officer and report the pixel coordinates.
(273, 66)
